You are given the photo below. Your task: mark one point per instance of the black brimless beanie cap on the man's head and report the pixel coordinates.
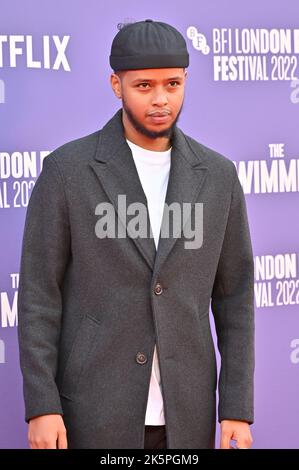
(148, 44)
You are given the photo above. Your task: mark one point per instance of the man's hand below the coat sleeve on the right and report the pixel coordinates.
(236, 430)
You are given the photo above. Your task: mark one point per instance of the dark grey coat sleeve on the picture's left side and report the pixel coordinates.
(45, 253)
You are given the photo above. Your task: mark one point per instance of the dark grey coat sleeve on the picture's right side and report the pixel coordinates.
(232, 306)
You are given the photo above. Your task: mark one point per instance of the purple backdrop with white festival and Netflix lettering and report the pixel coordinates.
(242, 99)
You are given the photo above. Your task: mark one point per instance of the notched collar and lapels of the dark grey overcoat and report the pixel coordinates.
(115, 168)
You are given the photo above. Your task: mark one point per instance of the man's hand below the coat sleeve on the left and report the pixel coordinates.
(47, 432)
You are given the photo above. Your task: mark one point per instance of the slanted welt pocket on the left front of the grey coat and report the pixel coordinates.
(78, 357)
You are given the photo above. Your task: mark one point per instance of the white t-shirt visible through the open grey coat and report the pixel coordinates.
(153, 171)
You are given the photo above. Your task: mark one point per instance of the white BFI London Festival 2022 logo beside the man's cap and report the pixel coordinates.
(254, 54)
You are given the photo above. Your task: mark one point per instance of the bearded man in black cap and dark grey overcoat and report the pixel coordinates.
(115, 342)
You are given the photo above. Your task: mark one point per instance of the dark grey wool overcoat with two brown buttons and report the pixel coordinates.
(91, 309)
